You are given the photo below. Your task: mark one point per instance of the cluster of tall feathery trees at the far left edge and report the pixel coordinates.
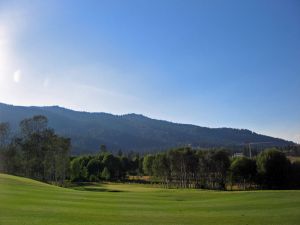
(37, 152)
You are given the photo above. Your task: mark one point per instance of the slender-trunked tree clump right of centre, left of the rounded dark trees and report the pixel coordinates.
(187, 168)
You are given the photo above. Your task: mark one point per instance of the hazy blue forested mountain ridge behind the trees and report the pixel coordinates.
(131, 131)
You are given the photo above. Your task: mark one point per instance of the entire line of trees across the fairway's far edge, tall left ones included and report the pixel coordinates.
(38, 153)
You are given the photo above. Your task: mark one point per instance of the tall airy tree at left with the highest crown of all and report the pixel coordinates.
(45, 155)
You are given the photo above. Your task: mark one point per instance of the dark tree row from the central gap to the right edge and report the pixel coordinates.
(186, 168)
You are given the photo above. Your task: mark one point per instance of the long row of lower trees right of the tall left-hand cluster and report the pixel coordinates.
(188, 168)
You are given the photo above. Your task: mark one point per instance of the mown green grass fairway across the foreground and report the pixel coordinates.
(27, 202)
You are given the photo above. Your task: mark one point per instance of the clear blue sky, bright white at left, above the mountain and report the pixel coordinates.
(209, 63)
